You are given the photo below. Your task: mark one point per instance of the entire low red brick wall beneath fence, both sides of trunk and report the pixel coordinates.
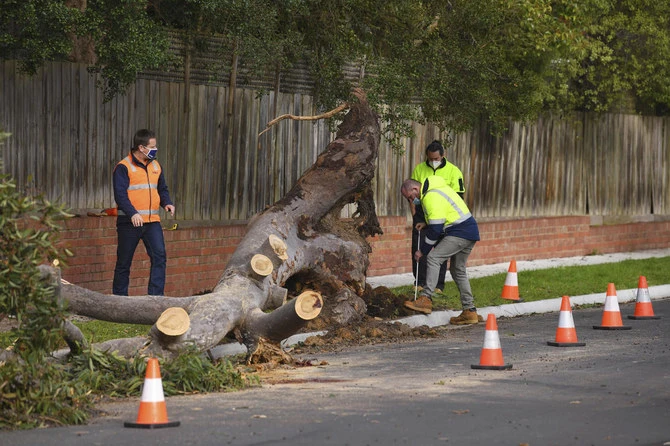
(197, 254)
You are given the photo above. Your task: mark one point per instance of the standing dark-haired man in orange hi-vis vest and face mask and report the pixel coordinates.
(140, 191)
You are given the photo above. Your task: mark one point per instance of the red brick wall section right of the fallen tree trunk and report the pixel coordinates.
(526, 239)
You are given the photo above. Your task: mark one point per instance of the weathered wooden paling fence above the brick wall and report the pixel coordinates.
(65, 142)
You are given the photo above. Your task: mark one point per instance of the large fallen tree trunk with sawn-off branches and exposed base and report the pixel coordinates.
(324, 254)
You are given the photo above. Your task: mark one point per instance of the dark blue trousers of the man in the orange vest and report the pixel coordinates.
(129, 236)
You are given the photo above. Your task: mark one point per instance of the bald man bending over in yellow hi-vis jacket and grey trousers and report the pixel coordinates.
(451, 233)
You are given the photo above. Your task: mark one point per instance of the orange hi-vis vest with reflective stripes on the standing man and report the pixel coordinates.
(143, 189)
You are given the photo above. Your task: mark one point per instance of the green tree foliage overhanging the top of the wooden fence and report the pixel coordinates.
(452, 62)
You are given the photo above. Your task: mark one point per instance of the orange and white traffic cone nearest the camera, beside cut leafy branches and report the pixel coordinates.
(152, 413)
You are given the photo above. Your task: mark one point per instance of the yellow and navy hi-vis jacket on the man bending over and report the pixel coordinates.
(446, 213)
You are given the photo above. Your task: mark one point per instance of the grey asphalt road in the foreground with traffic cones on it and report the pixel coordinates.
(613, 391)
